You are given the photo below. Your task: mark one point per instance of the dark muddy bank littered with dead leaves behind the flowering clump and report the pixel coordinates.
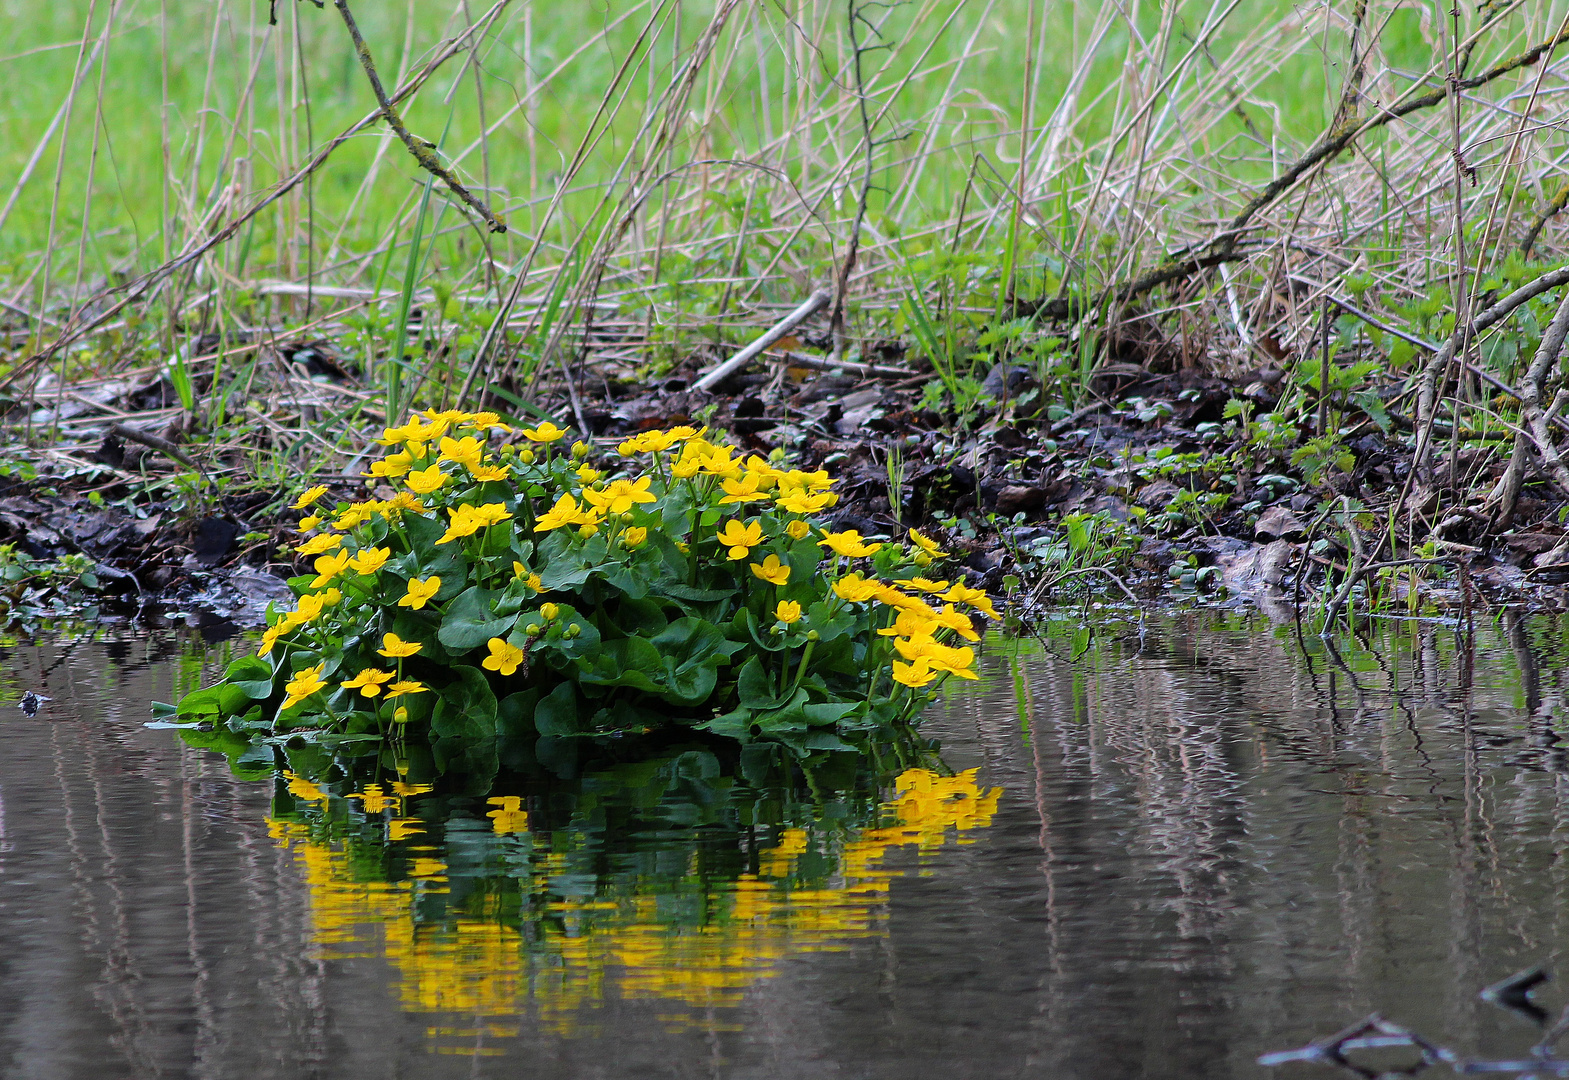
(1156, 491)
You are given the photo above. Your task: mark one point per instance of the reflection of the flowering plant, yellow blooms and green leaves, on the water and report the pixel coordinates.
(541, 927)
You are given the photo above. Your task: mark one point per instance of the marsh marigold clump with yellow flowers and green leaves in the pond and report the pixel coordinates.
(508, 586)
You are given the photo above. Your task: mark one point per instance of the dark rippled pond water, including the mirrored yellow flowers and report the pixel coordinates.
(1178, 852)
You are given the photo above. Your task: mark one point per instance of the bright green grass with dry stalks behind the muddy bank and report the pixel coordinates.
(686, 208)
